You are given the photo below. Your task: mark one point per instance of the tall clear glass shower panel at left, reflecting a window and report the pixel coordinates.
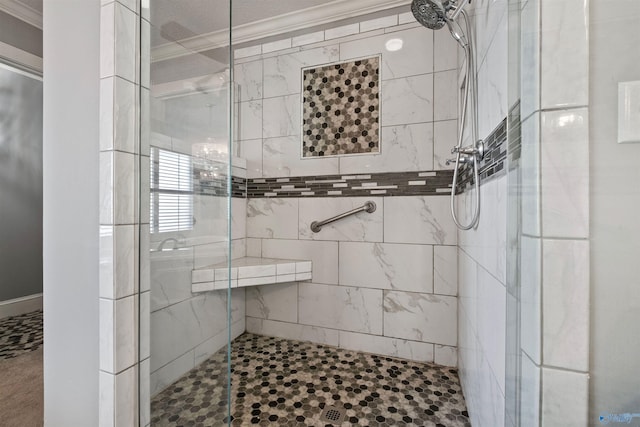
(185, 203)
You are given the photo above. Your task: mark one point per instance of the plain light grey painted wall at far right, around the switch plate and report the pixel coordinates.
(615, 306)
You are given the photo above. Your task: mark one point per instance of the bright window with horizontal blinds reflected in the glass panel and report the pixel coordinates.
(171, 191)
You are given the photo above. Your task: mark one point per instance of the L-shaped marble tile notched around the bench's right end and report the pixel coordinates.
(324, 256)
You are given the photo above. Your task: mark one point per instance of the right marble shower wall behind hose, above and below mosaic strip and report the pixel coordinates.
(482, 250)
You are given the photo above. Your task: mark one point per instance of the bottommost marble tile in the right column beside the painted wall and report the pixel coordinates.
(564, 393)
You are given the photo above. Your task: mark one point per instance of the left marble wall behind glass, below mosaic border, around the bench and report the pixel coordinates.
(197, 322)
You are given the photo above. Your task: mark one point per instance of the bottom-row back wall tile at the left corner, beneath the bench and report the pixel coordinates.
(292, 331)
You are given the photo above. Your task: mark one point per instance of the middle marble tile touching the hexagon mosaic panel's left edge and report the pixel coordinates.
(280, 117)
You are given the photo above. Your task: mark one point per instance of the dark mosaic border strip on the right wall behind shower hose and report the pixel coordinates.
(493, 163)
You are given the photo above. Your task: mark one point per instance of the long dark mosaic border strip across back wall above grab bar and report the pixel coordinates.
(427, 183)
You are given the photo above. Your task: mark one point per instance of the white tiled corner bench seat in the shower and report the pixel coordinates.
(250, 271)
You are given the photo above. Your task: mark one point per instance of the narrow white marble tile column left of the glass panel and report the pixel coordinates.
(120, 224)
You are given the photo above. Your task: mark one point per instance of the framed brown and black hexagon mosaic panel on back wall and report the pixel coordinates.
(341, 109)
